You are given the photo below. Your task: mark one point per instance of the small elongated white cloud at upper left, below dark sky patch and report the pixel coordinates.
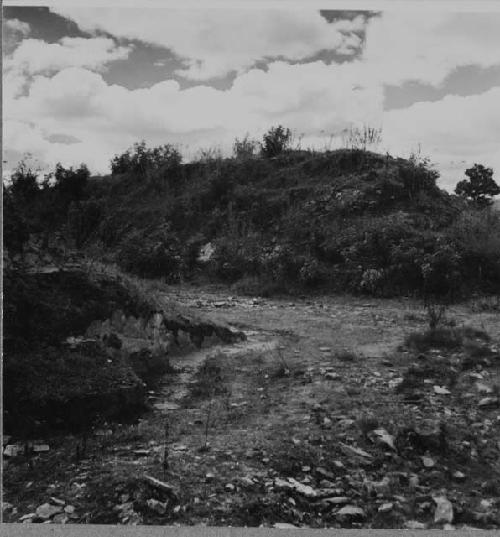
(36, 56)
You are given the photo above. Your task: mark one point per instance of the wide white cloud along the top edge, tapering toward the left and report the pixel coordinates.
(214, 42)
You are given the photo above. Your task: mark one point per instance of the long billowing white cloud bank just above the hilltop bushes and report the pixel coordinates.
(79, 103)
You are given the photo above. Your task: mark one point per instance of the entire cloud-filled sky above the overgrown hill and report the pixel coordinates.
(82, 84)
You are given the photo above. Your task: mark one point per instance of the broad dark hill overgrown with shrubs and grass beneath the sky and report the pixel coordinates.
(282, 221)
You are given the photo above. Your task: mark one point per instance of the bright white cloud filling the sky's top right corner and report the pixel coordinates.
(427, 46)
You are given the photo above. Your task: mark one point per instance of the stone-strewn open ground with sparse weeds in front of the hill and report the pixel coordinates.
(323, 417)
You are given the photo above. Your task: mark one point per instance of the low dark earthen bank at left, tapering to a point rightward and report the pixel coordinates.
(93, 340)
